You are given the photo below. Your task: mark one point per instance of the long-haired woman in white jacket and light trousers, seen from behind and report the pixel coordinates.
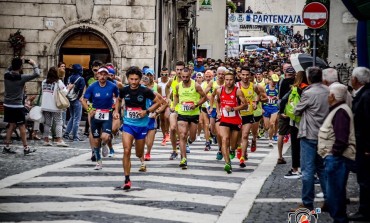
(48, 106)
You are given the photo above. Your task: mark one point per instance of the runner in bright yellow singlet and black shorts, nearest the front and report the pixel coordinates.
(189, 96)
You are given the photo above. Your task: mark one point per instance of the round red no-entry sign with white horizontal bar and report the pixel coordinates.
(315, 15)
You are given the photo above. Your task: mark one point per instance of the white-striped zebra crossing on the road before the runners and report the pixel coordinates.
(165, 193)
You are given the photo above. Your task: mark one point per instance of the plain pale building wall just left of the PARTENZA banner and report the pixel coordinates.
(211, 25)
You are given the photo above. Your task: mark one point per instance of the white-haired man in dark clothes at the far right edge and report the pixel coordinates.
(361, 110)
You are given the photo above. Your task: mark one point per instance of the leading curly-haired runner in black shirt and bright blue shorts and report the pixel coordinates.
(135, 118)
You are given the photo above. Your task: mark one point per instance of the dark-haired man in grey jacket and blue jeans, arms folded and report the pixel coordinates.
(313, 107)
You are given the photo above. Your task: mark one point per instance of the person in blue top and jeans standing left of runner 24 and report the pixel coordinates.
(75, 108)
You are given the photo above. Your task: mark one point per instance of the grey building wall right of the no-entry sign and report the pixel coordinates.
(345, 29)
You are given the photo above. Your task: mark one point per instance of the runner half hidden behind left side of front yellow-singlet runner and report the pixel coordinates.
(170, 90)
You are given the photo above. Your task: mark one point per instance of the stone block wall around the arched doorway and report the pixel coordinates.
(128, 27)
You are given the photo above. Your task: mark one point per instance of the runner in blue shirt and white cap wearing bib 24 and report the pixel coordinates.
(101, 94)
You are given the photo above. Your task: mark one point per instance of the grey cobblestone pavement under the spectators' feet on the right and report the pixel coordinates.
(278, 195)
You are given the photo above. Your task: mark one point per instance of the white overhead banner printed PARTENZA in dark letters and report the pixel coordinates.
(246, 19)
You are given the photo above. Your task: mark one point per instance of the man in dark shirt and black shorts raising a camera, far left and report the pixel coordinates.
(14, 112)
